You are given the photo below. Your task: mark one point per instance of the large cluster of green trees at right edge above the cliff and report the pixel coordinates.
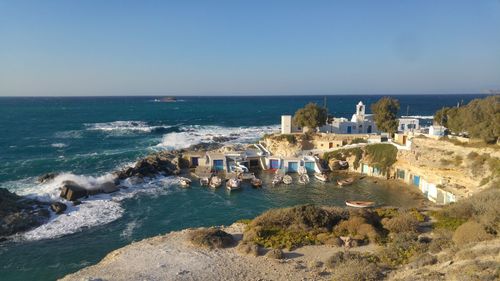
(480, 118)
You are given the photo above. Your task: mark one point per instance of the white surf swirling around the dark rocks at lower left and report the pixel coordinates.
(93, 211)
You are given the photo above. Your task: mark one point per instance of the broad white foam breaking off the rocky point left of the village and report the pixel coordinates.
(195, 134)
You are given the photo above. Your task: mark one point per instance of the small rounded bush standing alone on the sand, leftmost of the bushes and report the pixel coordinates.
(211, 238)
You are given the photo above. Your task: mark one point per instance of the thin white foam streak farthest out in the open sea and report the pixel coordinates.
(123, 127)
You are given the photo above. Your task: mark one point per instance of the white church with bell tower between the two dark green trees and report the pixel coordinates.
(360, 123)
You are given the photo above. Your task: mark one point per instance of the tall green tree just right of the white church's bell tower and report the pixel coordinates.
(385, 113)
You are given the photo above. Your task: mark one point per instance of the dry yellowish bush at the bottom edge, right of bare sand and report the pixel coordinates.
(354, 266)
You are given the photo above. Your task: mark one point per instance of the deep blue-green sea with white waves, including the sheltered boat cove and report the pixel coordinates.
(84, 139)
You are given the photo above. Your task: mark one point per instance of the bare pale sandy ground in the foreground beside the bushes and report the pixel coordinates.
(173, 257)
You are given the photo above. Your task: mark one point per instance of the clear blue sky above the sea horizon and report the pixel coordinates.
(248, 47)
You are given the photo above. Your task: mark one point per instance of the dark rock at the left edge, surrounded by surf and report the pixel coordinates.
(19, 214)
